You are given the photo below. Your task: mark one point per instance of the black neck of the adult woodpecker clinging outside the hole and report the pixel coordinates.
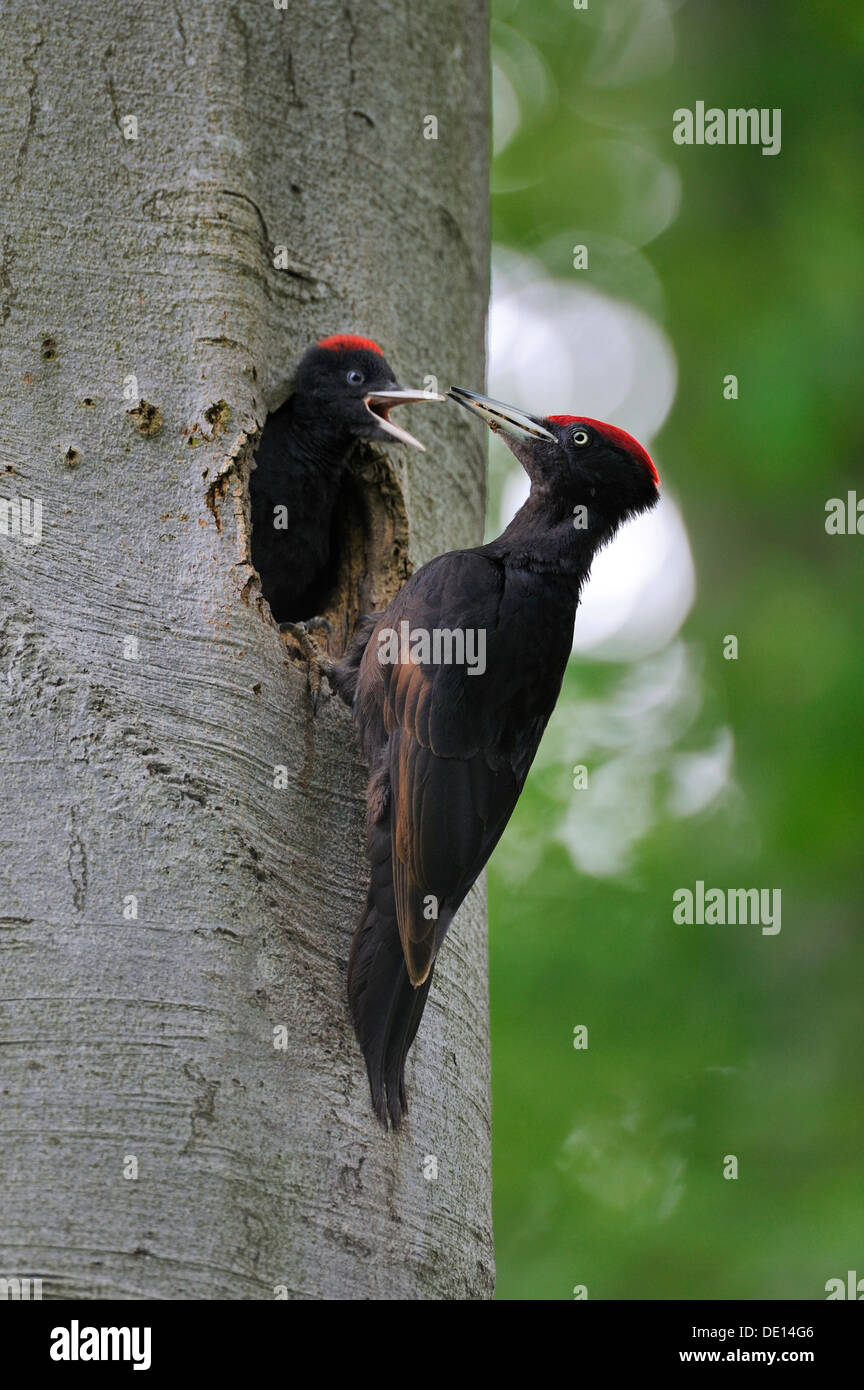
(554, 537)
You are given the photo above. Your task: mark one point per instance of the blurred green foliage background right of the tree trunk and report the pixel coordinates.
(704, 1042)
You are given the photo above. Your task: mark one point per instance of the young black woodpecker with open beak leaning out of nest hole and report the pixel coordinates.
(344, 391)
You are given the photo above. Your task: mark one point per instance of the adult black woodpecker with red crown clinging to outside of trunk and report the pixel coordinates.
(449, 747)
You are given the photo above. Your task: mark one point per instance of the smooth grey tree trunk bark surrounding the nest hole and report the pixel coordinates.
(145, 694)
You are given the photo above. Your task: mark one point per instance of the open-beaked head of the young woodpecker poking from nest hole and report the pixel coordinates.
(348, 383)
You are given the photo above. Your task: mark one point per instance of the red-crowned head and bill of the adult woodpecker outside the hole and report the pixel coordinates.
(584, 461)
